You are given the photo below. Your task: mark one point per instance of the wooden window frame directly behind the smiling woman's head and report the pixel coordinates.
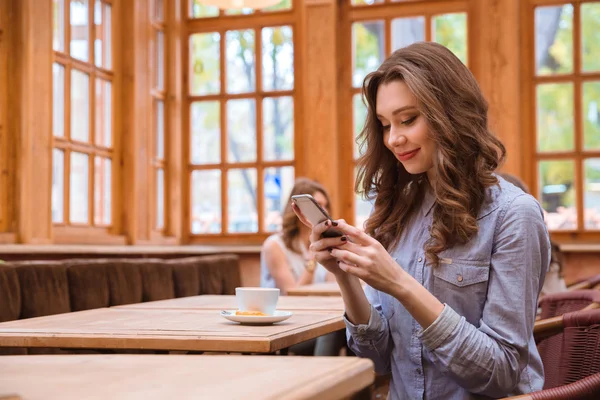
(386, 11)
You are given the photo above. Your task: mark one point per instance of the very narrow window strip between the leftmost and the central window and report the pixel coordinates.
(159, 113)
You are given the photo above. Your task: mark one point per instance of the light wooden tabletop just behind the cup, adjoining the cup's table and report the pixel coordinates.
(225, 302)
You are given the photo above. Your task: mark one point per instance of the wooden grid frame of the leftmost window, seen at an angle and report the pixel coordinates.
(90, 232)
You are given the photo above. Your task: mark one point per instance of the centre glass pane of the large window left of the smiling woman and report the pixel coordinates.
(241, 130)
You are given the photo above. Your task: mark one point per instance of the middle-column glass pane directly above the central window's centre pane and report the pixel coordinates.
(241, 70)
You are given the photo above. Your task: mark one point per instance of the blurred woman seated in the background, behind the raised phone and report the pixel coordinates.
(285, 261)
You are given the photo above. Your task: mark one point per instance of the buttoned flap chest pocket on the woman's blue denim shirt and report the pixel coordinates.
(463, 286)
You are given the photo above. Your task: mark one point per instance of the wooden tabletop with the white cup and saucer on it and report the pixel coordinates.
(165, 329)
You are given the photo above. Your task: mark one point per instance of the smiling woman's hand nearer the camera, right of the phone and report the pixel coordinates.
(365, 258)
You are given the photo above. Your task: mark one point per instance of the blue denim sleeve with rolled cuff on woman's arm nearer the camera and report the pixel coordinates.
(489, 359)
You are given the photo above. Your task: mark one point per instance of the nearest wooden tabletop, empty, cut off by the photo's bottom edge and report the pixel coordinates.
(182, 377)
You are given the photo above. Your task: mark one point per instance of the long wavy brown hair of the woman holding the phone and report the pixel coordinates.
(467, 152)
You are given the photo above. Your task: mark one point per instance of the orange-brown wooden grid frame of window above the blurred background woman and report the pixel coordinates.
(221, 24)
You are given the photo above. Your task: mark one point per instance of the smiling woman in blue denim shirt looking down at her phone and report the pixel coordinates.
(453, 256)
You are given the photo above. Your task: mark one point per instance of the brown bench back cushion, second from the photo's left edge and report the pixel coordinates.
(44, 288)
